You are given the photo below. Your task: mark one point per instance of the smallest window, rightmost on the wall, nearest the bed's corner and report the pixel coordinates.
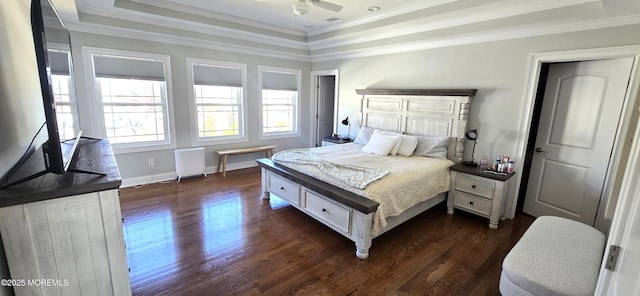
(279, 101)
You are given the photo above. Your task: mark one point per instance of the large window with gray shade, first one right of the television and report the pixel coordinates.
(133, 93)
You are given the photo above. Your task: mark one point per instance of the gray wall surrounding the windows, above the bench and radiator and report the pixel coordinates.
(135, 165)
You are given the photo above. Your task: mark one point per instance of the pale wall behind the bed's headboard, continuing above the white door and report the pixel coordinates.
(499, 70)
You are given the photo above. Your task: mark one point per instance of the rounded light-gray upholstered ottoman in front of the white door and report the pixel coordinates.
(555, 256)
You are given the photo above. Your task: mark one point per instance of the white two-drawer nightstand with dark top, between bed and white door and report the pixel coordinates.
(478, 192)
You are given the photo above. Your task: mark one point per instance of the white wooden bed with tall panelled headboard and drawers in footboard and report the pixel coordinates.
(397, 187)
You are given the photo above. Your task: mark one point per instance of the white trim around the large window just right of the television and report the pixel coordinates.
(97, 111)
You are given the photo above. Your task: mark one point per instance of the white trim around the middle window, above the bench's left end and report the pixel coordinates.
(244, 132)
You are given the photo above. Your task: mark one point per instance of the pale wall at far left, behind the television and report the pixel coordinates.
(20, 96)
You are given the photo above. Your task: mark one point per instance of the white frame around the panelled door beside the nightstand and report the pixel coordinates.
(535, 67)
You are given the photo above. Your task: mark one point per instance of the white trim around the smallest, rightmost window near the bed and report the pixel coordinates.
(279, 135)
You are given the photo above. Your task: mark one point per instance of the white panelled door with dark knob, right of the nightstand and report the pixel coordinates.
(579, 117)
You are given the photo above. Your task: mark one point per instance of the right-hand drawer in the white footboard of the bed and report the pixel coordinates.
(327, 211)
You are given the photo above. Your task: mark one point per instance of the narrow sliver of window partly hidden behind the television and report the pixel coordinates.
(63, 94)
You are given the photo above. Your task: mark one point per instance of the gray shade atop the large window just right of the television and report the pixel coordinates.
(120, 67)
